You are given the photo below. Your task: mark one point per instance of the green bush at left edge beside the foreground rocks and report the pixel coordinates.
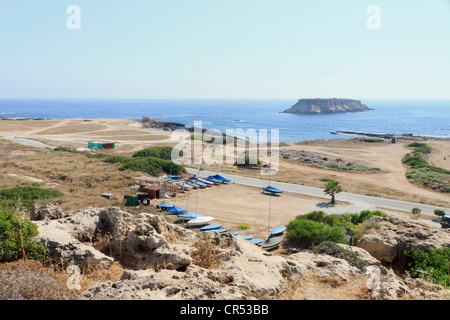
(16, 239)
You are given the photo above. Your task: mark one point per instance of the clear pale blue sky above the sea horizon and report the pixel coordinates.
(225, 49)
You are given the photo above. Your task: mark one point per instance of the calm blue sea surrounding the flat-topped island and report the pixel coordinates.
(416, 117)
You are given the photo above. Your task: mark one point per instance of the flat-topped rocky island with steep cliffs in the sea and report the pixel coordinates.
(327, 106)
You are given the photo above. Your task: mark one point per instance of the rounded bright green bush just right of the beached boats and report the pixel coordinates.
(308, 233)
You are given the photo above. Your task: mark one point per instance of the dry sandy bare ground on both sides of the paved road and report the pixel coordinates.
(84, 179)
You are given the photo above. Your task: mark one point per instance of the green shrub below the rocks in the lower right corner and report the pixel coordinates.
(432, 265)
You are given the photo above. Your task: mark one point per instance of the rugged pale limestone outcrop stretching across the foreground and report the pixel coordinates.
(160, 261)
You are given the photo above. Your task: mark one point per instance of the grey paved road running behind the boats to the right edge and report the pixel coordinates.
(355, 199)
